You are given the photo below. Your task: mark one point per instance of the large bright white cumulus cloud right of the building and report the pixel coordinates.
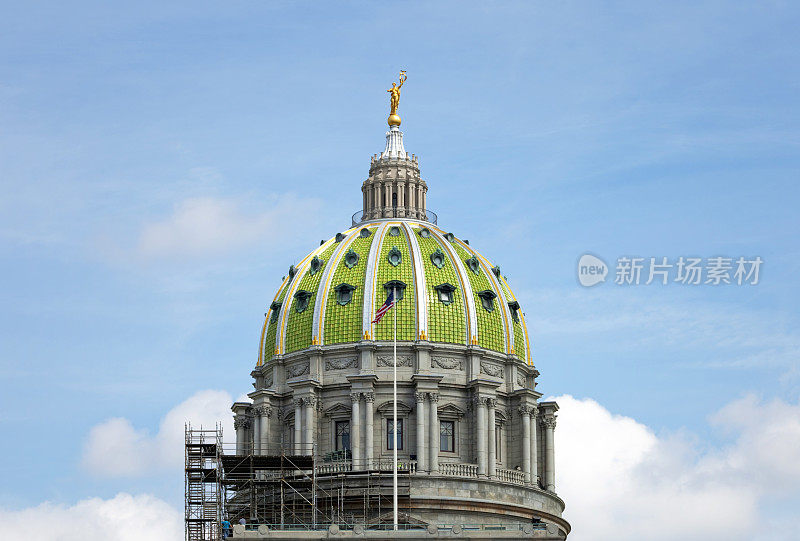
(622, 481)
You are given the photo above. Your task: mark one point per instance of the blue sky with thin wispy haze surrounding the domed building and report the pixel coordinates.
(162, 166)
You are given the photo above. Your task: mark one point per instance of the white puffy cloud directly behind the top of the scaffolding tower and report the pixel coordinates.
(115, 448)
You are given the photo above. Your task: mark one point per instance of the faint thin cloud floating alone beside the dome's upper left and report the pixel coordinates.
(206, 226)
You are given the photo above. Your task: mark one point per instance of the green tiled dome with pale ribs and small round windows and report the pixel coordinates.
(449, 293)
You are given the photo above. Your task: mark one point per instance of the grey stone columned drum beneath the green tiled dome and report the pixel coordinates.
(509, 478)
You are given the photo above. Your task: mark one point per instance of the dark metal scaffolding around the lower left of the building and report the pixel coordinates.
(285, 488)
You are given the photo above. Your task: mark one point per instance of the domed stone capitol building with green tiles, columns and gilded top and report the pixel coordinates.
(475, 443)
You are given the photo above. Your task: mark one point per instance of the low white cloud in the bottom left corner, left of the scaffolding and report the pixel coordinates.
(122, 518)
